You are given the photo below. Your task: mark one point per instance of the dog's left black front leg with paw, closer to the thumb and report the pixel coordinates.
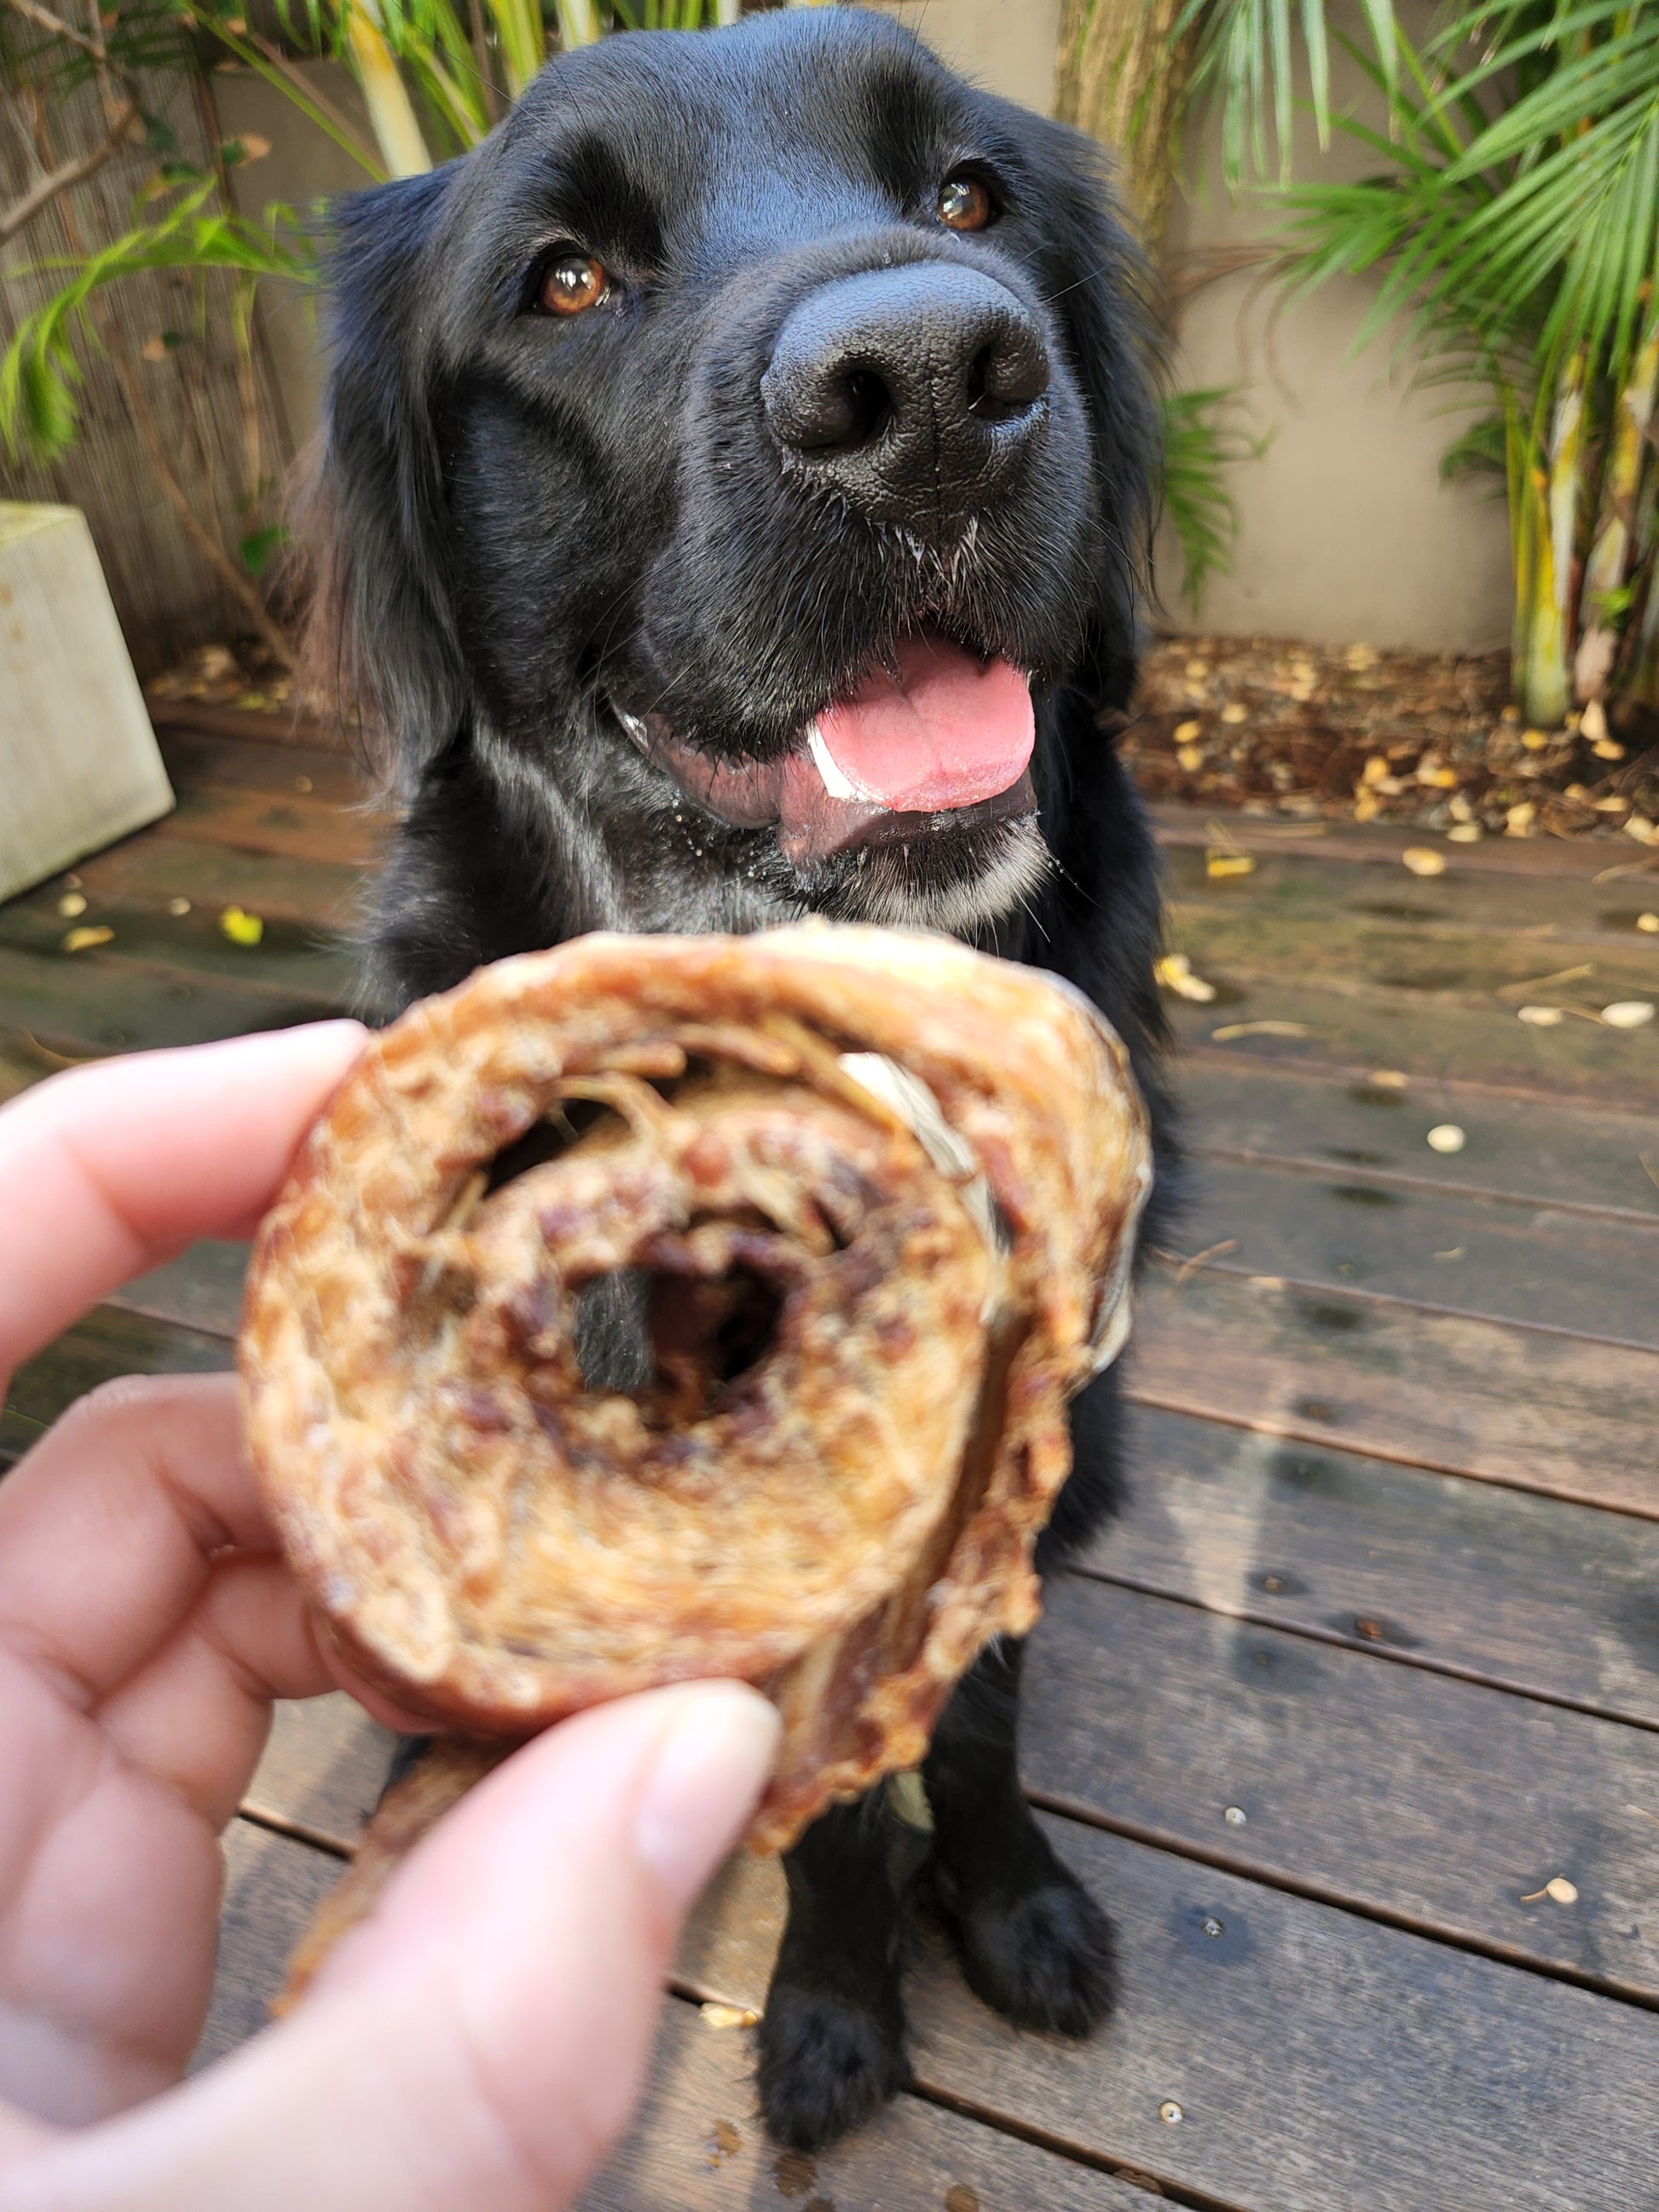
(833, 2038)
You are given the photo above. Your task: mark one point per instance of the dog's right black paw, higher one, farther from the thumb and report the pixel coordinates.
(1043, 1957)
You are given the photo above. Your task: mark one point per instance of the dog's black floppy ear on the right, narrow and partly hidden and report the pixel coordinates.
(1103, 298)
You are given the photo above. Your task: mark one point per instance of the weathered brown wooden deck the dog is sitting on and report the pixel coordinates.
(1375, 1656)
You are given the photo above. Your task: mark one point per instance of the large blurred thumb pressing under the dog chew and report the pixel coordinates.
(479, 2043)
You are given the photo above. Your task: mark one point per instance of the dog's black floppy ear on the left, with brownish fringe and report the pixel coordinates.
(382, 632)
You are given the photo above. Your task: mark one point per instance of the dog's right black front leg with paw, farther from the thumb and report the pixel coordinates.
(1034, 1943)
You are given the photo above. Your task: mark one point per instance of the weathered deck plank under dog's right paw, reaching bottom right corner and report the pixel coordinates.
(1319, 2060)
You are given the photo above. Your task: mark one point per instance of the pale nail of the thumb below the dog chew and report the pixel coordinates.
(702, 1784)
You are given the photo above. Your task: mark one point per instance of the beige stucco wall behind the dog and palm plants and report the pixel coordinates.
(1346, 528)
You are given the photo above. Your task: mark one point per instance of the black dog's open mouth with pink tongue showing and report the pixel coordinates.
(935, 740)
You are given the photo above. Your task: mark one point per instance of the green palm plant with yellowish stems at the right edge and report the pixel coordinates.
(1516, 227)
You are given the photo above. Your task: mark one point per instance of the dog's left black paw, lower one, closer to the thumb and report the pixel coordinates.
(826, 2065)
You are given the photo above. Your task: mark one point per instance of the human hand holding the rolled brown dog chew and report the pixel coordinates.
(481, 2038)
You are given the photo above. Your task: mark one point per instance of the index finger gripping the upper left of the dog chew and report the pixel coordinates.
(118, 1167)
